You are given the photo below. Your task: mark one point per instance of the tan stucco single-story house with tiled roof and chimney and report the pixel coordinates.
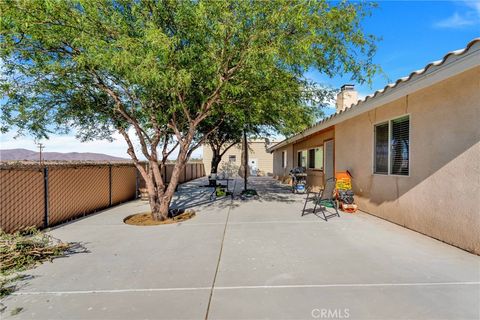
(413, 149)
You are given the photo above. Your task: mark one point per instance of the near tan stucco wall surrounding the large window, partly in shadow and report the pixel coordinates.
(441, 197)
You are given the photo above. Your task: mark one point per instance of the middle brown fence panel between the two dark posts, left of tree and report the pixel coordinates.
(76, 191)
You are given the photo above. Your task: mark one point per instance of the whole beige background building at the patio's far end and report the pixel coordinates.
(260, 160)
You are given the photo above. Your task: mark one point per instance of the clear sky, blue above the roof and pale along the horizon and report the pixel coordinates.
(413, 34)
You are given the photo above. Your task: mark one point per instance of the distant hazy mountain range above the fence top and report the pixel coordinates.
(28, 155)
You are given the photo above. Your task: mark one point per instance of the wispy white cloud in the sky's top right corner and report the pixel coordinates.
(470, 16)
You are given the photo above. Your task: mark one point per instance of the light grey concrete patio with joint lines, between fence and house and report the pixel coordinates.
(247, 260)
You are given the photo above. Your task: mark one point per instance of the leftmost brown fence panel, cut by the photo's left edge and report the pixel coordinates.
(21, 199)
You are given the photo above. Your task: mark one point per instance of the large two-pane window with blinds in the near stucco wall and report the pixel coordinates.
(392, 147)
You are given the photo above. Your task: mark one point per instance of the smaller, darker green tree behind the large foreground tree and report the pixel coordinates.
(281, 104)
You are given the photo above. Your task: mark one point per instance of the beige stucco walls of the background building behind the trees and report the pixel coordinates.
(257, 150)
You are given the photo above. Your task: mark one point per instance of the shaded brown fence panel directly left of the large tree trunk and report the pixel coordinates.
(123, 183)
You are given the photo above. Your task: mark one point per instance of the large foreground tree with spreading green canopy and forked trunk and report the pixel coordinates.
(155, 70)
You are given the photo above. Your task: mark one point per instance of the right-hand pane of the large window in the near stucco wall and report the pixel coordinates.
(399, 146)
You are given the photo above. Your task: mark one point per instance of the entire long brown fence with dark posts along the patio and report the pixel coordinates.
(43, 196)
